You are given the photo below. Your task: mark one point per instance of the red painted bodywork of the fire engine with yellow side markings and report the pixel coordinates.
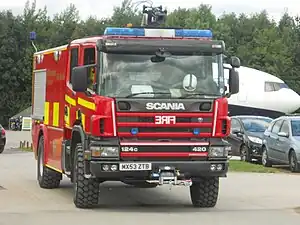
(57, 127)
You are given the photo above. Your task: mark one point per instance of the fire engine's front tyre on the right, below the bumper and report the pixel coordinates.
(204, 192)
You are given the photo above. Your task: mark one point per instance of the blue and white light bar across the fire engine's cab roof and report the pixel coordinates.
(144, 32)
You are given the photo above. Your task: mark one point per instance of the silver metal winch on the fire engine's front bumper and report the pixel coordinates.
(169, 175)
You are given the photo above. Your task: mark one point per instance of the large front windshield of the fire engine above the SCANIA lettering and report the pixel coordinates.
(124, 75)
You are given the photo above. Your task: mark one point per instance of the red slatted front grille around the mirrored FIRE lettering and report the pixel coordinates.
(184, 127)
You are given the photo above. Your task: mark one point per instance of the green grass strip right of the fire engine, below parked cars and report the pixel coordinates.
(239, 166)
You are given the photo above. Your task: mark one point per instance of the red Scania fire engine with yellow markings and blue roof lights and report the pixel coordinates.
(145, 106)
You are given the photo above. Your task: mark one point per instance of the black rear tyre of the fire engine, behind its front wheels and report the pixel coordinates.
(47, 178)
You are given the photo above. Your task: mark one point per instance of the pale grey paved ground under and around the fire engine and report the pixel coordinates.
(244, 199)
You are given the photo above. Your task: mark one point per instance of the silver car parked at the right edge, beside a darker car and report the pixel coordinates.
(281, 143)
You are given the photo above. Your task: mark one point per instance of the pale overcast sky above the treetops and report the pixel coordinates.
(103, 8)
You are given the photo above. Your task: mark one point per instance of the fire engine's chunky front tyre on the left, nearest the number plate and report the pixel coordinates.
(86, 190)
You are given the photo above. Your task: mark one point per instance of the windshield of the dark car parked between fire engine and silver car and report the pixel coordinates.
(256, 124)
